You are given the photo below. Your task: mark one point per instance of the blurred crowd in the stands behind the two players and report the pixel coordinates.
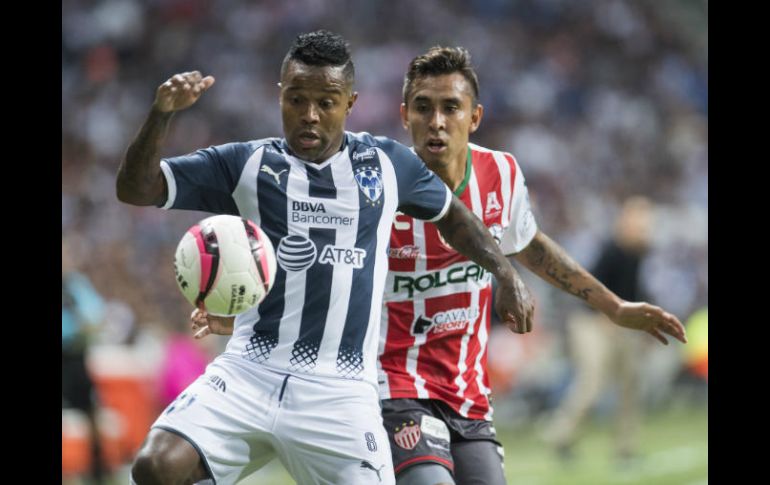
(599, 100)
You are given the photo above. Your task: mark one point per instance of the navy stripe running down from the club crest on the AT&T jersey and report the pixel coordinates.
(350, 354)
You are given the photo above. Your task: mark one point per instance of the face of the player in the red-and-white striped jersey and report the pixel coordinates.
(440, 117)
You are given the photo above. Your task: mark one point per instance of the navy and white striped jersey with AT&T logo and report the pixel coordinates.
(330, 224)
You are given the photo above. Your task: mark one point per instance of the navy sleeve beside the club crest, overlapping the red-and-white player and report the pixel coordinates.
(421, 193)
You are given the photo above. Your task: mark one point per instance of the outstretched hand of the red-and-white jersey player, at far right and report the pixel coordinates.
(651, 319)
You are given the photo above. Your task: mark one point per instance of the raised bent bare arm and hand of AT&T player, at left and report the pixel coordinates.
(140, 180)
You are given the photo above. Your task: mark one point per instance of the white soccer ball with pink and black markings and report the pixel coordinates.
(225, 262)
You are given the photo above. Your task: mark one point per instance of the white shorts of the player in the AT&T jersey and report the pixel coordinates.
(239, 416)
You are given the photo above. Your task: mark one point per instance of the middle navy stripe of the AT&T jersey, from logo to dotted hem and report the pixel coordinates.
(304, 355)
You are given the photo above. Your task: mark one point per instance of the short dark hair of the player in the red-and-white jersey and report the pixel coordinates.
(442, 60)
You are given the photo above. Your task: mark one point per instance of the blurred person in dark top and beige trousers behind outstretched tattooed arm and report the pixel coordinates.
(599, 349)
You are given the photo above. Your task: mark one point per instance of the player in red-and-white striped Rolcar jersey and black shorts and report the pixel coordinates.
(437, 303)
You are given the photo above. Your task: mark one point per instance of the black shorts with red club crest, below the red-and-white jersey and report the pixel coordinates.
(428, 430)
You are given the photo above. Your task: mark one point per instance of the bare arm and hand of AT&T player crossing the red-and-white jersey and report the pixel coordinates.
(467, 234)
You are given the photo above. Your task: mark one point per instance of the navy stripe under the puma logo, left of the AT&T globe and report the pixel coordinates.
(271, 195)
